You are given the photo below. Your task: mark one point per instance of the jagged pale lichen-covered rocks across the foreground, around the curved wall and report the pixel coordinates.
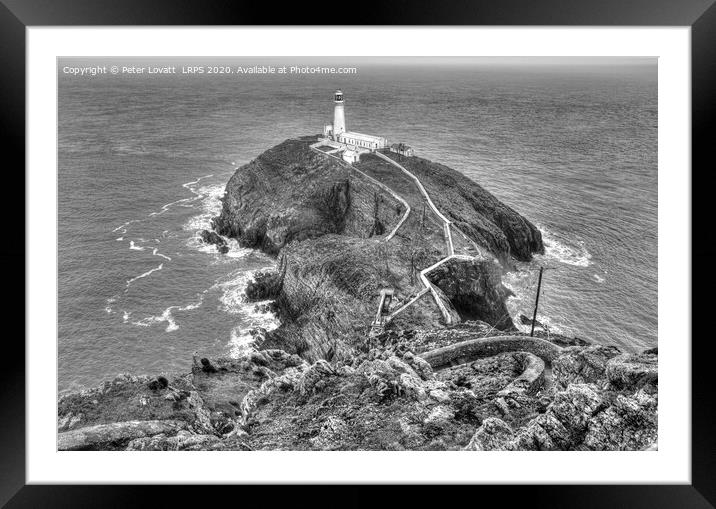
(386, 398)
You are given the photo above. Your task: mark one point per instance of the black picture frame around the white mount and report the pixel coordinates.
(700, 15)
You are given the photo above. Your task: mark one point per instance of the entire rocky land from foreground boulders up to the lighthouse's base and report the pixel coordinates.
(394, 331)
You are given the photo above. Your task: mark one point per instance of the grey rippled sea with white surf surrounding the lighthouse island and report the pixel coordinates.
(143, 161)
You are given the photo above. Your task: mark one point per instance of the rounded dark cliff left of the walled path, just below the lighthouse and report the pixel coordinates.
(290, 193)
